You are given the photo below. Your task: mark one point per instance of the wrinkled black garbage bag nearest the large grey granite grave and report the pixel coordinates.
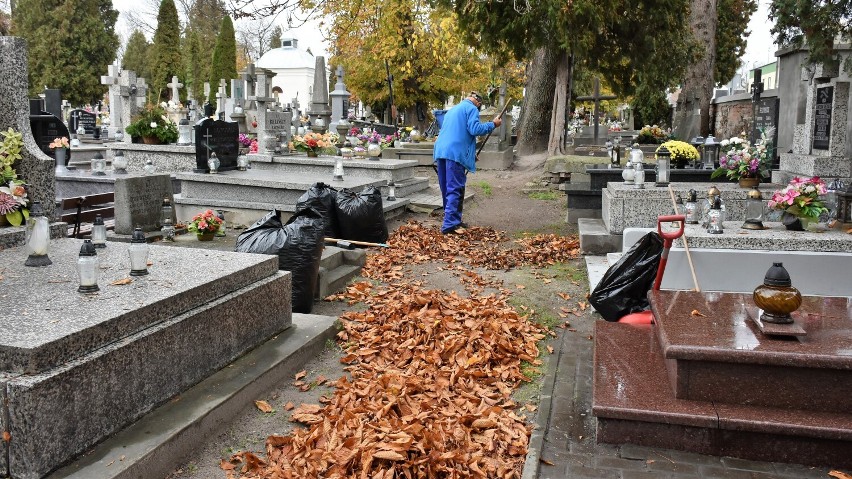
(298, 245)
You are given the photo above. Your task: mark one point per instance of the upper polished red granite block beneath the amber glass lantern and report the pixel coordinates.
(715, 352)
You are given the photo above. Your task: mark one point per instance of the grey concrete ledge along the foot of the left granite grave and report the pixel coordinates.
(160, 441)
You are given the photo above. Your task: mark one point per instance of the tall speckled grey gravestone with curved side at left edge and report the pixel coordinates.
(36, 168)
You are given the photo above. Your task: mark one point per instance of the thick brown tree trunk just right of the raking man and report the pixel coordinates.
(534, 125)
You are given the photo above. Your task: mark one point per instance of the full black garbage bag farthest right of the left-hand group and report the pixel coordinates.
(361, 216)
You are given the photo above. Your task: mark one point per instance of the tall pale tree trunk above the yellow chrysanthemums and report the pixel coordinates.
(703, 19)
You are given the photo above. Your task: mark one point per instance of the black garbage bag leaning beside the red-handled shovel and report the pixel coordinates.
(624, 288)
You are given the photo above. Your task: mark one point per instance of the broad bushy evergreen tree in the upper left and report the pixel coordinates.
(71, 43)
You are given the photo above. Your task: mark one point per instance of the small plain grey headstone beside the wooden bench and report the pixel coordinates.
(139, 200)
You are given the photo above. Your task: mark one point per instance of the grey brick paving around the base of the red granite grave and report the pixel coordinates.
(569, 449)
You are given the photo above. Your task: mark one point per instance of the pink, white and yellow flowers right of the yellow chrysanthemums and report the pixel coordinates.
(743, 162)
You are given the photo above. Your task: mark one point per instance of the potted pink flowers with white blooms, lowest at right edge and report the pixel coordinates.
(800, 202)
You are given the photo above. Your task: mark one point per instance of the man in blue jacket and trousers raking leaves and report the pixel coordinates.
(455, 155)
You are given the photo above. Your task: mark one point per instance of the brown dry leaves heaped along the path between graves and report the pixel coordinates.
(432, 374)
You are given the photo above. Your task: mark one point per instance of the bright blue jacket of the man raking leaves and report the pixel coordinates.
(457, 138)
